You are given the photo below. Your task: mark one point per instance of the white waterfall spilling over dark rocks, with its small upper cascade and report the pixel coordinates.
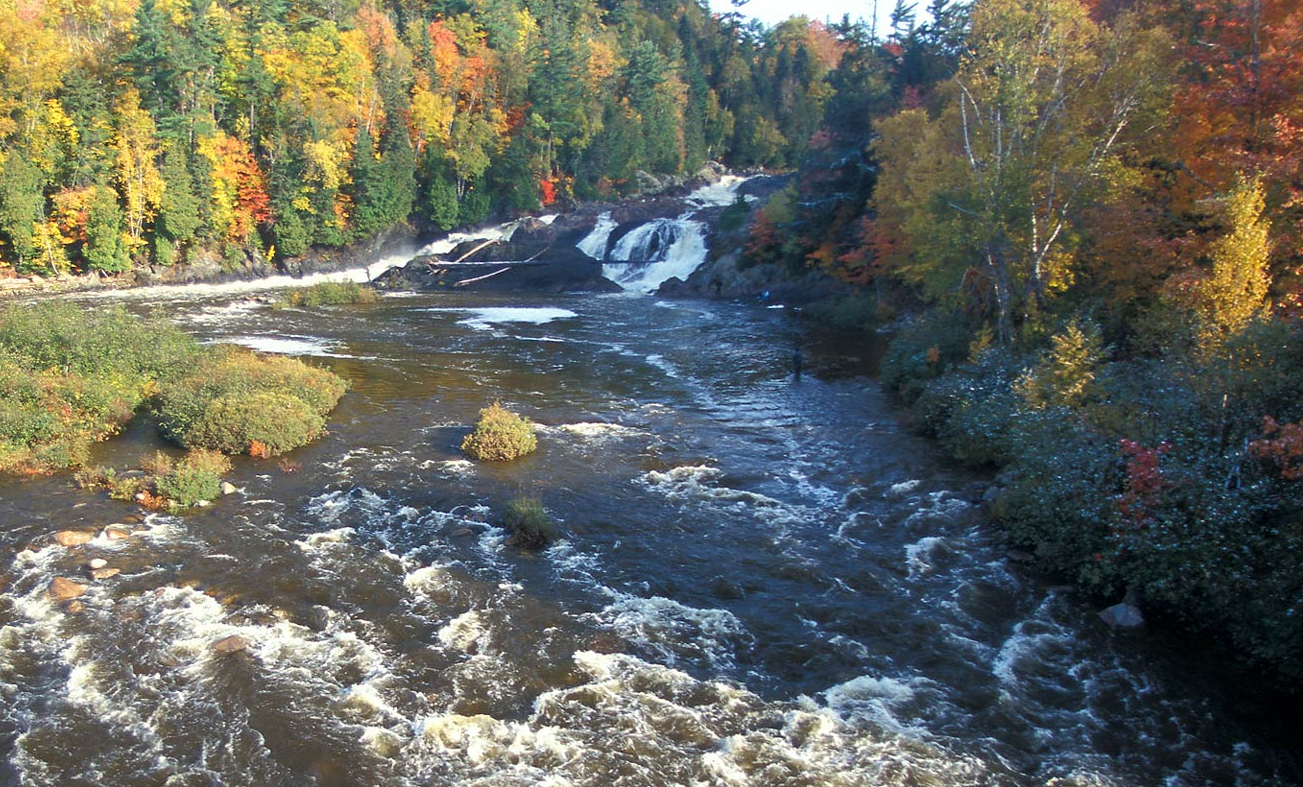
(663, 250)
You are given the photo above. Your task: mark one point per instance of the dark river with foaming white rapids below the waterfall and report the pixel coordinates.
(760, 582)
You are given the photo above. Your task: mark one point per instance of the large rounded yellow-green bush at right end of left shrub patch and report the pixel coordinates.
(244, 403)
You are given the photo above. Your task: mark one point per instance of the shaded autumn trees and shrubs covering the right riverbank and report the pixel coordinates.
(1085, 220)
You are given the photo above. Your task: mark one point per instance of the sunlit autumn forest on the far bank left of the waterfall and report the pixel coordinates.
(139, 132)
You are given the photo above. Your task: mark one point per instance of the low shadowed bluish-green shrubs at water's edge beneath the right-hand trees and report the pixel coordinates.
(1173, 472)
